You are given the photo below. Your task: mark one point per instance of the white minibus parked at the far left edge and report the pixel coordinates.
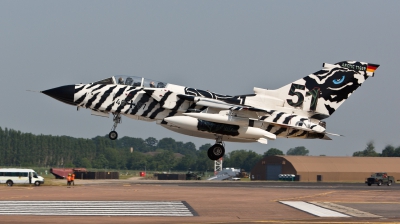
(12, 176)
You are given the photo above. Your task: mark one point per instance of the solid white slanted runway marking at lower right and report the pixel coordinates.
(313, 209)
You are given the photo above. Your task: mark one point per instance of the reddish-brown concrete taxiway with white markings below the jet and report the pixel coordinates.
(127, 201)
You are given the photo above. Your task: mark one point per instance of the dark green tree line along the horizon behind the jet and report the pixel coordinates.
(26, 149)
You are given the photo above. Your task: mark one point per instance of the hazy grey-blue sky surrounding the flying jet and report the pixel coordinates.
(227, 47)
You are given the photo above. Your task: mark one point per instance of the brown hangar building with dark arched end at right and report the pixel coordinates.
(325, 168)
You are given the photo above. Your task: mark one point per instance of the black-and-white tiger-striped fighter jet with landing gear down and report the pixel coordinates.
(295, 110)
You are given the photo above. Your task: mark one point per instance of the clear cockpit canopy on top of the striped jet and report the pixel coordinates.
(132, 81)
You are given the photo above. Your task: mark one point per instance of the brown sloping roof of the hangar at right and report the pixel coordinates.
(344, 164)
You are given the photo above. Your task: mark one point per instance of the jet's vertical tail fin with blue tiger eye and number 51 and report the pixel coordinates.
(322, 92)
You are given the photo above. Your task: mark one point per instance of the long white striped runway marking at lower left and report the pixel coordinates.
(97, 208)
